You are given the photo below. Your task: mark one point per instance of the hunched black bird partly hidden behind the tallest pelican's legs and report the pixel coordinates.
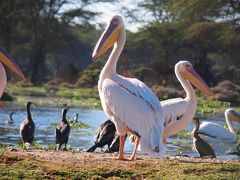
(106, 135)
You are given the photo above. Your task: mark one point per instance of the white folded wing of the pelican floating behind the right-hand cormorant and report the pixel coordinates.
(215, 132)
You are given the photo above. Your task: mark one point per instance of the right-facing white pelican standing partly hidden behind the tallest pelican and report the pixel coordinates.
(179, 112)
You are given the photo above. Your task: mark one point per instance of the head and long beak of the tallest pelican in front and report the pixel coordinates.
(109, 36)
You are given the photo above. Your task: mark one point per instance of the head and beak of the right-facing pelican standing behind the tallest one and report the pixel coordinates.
(185, 69)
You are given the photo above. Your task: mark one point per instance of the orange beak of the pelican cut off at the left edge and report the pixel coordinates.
(9, 62)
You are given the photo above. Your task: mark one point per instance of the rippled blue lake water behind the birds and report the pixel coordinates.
(83, 138)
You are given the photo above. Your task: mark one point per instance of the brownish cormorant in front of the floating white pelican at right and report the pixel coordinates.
(203, 148)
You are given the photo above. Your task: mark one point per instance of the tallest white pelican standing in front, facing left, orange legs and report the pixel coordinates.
(128, 102)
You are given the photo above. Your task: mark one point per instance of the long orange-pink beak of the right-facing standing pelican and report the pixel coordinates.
(191, 75)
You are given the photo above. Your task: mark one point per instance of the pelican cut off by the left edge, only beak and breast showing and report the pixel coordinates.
(9, 62)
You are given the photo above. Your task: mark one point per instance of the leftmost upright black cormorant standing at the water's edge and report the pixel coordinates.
(27, 127)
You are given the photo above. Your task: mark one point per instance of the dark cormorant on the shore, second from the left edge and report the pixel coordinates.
(62, 131)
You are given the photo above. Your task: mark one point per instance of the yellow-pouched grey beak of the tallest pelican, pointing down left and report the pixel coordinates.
(108, 38)
